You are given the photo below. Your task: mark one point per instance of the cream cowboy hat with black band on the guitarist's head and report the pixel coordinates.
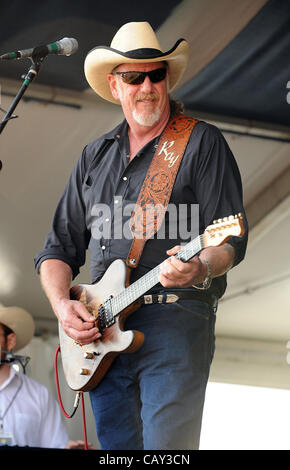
(133, 43)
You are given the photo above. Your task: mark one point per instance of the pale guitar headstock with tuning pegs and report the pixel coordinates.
(222, 229)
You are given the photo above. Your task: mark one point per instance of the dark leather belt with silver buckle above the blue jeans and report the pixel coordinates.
(174, 296)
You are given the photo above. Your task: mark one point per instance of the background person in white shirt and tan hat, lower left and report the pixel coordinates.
(29, 415)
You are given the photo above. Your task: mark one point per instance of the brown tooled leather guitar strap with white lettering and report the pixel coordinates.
(156, 190)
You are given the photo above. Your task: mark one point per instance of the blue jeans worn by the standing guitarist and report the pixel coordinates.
(153, 398)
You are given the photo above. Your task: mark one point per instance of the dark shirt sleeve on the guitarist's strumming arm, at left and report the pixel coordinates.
(68, 237)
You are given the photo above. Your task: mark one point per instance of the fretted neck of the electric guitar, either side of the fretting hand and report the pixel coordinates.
(145, 283)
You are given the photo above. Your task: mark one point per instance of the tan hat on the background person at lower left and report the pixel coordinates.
(20, 322)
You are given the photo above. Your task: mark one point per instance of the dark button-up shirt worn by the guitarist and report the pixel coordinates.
(104, 185)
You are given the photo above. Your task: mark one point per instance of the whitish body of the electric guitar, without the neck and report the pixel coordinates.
(85, 366)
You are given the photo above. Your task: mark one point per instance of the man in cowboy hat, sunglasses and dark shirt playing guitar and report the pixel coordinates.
(152, 399)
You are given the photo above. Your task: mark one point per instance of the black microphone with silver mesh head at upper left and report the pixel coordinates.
(65, 46)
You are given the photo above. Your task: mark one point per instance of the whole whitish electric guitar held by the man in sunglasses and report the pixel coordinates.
(112, 300)
